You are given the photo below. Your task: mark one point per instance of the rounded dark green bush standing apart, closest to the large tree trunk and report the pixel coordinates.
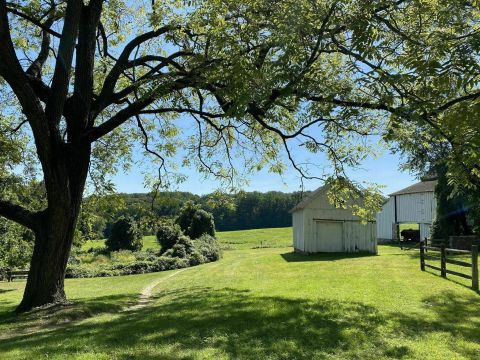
(124, 235)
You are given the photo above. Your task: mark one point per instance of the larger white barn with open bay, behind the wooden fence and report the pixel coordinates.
(415, 204)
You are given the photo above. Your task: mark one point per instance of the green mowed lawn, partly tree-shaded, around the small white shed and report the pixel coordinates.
(256, 303)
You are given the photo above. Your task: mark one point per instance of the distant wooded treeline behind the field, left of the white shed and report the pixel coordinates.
(244, 210)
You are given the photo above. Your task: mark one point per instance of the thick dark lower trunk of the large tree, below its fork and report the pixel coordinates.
(54, 236)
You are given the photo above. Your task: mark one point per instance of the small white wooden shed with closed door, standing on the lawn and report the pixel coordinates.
(319, 226)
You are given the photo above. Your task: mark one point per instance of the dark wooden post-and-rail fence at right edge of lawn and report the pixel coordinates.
(444, 260)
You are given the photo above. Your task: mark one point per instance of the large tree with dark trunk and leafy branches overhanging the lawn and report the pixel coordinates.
(255, 77)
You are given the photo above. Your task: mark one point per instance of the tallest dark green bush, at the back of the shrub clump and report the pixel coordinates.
(194, 221)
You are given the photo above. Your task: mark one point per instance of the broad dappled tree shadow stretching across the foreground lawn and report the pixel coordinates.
(226, 321)
